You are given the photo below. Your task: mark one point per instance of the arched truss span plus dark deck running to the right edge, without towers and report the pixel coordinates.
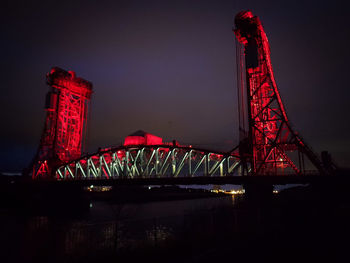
(171, 165)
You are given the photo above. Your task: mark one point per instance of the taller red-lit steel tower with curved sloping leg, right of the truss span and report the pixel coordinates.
(268, 144)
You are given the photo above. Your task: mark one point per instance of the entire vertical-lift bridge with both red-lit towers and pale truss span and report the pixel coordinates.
(268, 147)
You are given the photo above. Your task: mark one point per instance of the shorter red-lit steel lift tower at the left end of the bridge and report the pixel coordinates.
(66, 121)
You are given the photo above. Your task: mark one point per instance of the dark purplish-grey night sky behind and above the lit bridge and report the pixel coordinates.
(168, 67)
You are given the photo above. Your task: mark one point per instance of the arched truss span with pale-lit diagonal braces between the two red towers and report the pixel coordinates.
(151, 161)
